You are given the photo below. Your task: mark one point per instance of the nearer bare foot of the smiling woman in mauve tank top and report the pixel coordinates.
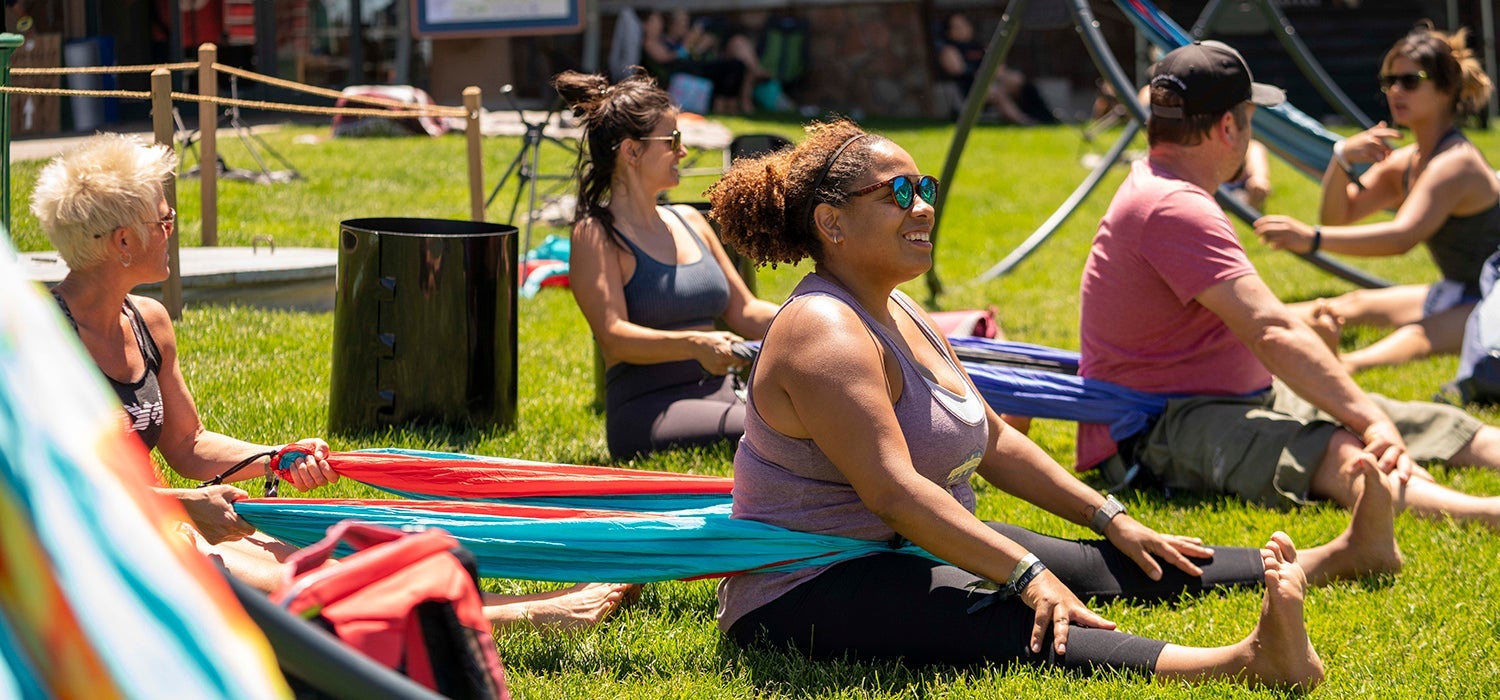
(1282, 653)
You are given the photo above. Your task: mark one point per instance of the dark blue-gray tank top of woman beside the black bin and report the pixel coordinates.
(670, 298)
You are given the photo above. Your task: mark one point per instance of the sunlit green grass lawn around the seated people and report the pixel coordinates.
(1432, 632)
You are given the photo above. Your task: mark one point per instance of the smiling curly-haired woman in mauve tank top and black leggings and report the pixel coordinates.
(863, 423)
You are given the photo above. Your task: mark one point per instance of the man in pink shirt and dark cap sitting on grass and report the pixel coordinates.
(1172, 305)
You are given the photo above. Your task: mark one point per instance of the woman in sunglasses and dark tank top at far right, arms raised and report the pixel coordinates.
(1442, 188)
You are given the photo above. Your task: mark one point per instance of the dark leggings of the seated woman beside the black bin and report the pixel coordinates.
(655, 407)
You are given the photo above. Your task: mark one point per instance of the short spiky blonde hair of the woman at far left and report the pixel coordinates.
(109, 182)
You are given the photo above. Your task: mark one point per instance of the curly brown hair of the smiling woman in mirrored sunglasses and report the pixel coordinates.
(764, 206)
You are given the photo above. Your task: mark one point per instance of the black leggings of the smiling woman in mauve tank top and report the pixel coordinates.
(896, 606)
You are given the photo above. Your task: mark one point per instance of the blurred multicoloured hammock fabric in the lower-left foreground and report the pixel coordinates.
(100, 596)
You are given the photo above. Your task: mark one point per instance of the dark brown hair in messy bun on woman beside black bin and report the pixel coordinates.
(610, 115)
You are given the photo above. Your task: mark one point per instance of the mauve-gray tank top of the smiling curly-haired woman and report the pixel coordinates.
(791, 483)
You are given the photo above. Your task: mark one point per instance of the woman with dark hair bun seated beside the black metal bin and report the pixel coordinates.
(653, 280)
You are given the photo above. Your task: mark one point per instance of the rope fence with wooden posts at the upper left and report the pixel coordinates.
(208, 98)
